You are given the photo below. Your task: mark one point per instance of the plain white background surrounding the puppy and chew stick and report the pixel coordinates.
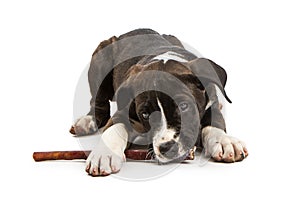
(44, 47)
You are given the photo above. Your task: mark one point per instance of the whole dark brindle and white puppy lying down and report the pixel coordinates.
(166, 99)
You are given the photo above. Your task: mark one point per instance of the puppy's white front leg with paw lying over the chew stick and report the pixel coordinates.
(108, 155)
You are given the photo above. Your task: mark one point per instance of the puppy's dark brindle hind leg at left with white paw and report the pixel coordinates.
(100, 76)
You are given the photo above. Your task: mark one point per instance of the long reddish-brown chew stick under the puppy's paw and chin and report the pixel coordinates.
(73, 155)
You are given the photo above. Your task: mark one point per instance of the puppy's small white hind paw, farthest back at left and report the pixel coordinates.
(85, 125)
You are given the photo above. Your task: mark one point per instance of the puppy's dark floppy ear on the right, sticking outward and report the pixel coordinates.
(209, 72)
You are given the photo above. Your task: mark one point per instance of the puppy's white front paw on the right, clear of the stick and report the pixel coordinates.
(222, 147)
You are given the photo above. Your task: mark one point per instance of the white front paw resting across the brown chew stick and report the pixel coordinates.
(104, 161)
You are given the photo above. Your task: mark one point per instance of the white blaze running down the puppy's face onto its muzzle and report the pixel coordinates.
(164, 134)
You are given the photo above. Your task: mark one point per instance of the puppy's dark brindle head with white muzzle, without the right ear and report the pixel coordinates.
(165, 103)
